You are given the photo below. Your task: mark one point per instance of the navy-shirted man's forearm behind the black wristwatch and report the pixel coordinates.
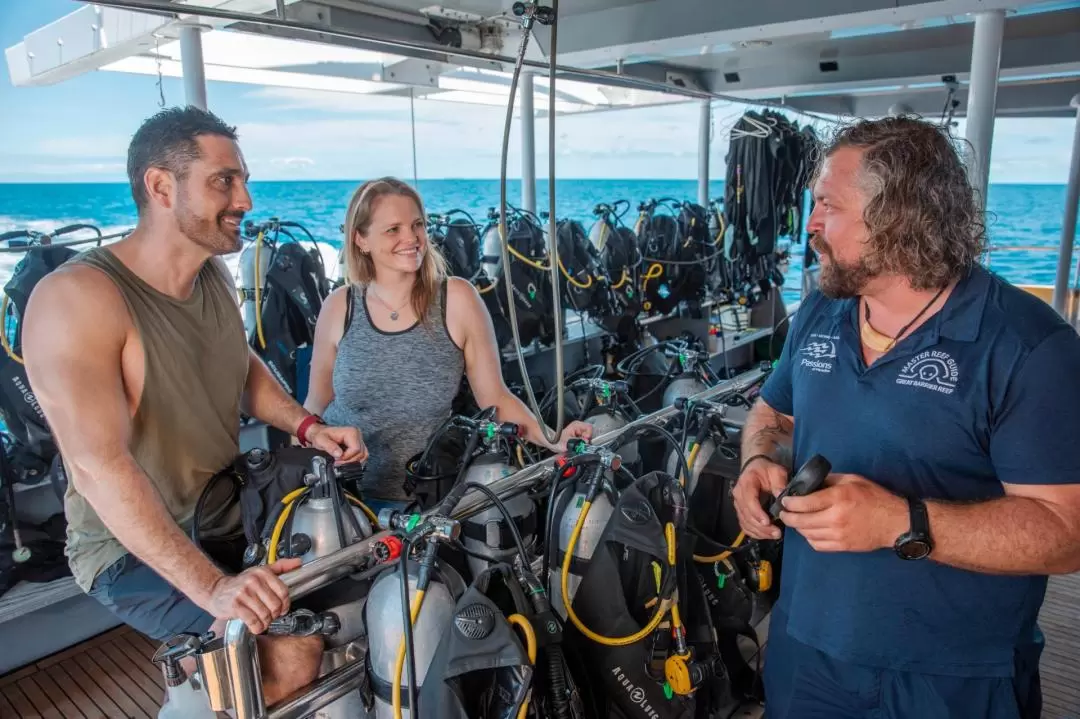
(1006, 536)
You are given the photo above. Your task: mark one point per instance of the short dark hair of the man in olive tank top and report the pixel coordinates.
(168, 141)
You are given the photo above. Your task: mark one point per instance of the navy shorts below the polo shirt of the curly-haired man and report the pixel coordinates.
(806, 684)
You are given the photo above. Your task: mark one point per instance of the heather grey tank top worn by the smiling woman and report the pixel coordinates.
(396, 387)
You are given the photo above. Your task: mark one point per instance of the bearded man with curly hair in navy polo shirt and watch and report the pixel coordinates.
(949, 404)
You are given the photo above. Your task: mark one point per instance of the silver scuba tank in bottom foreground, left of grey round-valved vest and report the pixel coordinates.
(383, 616)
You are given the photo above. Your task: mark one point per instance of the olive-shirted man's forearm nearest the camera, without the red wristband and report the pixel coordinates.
(132, 510)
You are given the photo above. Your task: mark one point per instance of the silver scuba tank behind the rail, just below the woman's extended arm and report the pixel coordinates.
(487, 533)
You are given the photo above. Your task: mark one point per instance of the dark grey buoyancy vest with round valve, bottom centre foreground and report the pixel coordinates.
(481, 668)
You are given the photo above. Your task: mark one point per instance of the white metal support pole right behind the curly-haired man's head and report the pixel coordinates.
(983, 96)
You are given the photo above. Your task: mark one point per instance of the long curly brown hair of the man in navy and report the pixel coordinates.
(923, 215)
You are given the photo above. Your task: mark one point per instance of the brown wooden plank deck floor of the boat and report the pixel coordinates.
(112, 676)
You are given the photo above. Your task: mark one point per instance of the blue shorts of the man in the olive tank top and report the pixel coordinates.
(142, 600)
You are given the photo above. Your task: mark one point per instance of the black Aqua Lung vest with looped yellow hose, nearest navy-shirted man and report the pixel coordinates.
(632, 542)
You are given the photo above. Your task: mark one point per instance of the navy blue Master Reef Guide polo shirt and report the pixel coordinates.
(985, 392)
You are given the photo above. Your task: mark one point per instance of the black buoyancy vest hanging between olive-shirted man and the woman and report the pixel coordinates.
(296, 287)
